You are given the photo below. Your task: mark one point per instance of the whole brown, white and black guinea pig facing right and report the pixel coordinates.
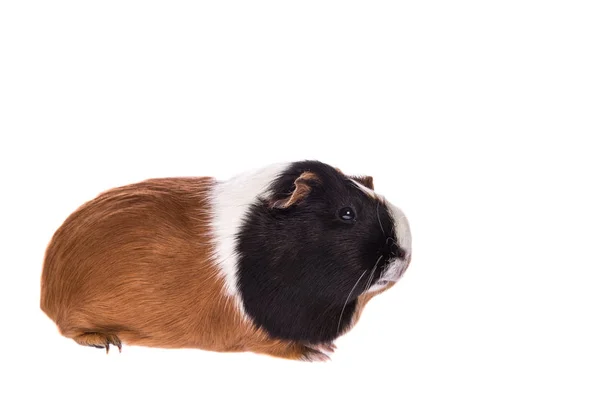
(279, 261)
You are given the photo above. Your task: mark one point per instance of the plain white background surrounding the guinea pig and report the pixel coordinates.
(479, 119)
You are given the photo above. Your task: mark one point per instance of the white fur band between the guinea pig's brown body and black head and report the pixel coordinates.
(231, 200)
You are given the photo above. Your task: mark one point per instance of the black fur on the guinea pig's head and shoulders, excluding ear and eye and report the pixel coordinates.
(299, 266)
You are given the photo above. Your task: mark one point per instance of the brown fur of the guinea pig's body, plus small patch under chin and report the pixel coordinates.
(133, 266)
